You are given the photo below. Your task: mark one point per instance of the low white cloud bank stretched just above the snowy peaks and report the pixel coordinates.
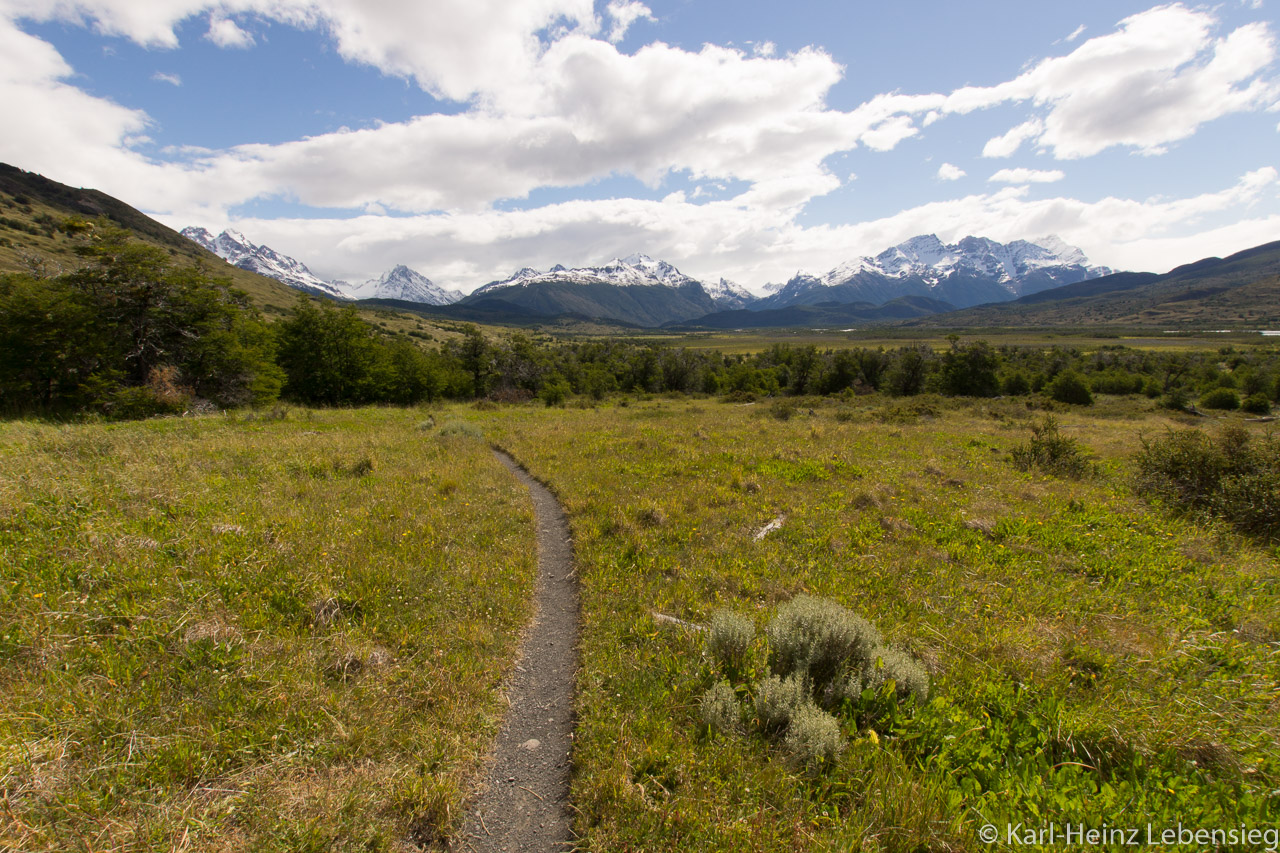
(753, 245)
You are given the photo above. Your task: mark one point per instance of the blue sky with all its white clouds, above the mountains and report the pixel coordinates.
(744, 140)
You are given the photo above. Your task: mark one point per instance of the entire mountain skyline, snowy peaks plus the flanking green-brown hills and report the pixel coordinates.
(921, 282)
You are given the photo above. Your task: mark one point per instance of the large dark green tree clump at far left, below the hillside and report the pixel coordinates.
(131, 335)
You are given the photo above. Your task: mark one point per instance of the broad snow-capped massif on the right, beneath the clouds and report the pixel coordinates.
(970, 272)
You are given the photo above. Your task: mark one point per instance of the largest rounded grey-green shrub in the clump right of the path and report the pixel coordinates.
(819, 640)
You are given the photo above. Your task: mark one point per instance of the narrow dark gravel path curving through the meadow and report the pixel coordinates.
(524, 804)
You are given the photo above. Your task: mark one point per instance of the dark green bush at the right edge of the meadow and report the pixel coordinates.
(1235, 477)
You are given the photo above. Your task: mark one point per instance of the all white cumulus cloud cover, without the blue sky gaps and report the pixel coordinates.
(547, 103)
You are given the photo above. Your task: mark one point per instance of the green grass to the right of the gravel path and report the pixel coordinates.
(1094, 660)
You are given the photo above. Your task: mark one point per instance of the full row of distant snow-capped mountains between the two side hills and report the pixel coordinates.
(642, 291)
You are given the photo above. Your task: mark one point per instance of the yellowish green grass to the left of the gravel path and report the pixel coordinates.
(252, 632)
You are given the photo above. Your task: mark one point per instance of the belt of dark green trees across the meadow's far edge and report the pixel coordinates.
(131, 335)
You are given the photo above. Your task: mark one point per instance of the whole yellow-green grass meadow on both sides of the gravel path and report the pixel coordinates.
(260, 633)
